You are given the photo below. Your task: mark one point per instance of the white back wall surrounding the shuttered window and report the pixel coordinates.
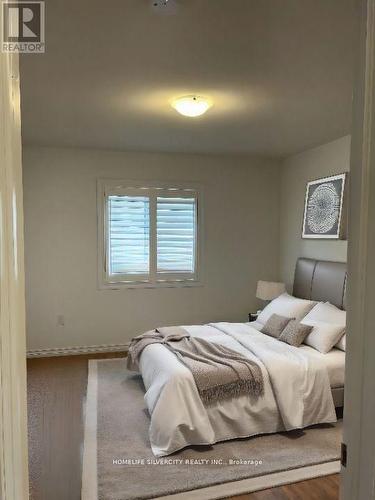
(241, 226)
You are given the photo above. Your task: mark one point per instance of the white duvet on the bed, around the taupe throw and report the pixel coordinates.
(297, 392)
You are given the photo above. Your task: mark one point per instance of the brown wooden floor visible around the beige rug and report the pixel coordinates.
(56, 396)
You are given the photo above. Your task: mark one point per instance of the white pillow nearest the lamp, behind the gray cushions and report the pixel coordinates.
(286, 305)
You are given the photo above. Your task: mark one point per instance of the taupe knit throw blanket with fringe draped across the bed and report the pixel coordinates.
(219, 372)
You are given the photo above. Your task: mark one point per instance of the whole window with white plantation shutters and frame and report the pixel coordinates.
(150, 234)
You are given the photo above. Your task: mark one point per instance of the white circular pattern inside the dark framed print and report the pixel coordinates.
(323, 209)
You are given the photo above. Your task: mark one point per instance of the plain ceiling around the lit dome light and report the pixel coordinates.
(280, 73)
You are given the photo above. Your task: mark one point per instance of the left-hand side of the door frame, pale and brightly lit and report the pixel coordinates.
(13, 400)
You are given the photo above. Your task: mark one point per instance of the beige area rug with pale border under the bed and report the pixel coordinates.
(118, 463)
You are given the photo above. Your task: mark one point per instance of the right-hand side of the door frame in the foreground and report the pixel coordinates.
(359, 411)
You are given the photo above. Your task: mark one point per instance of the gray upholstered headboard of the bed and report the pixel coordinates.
(321, 280)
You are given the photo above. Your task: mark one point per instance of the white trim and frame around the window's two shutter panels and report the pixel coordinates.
(106, 187)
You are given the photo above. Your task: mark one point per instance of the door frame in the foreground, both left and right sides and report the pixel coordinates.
(359, 413)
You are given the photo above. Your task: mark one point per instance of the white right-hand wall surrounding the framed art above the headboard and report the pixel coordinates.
(296, 171)
